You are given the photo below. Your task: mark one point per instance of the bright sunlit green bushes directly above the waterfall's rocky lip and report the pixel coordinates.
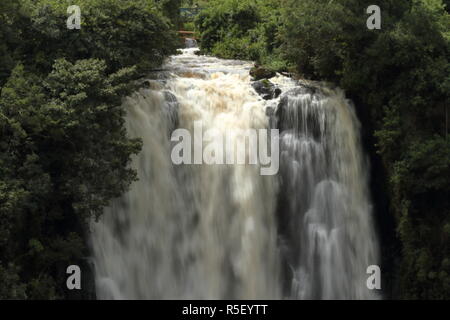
(242, 30)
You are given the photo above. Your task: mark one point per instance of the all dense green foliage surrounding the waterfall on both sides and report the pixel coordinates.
(64, 151)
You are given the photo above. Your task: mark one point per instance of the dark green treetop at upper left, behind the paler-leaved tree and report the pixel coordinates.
(123, 33)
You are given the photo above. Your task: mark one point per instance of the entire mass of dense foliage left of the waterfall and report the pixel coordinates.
(64, 152)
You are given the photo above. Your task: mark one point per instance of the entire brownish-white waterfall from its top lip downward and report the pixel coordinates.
(225, 231)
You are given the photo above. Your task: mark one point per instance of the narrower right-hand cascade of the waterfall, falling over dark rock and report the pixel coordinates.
(325, 224)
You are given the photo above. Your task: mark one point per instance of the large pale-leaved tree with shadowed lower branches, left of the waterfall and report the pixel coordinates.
(64, 155)
